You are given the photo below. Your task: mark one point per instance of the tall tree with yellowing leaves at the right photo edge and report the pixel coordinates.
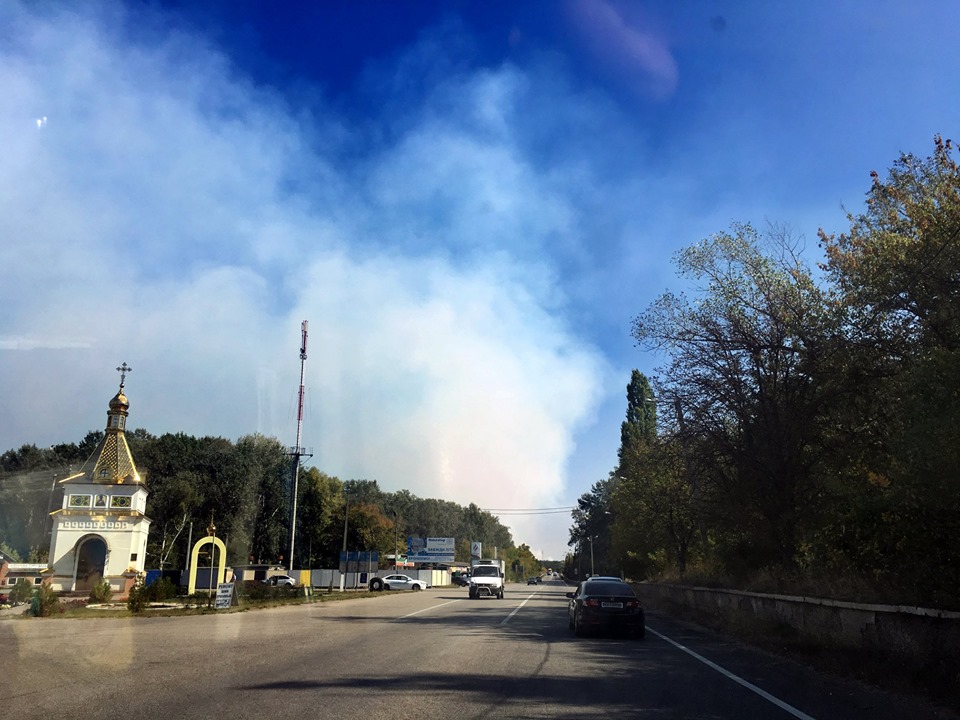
(896, 270)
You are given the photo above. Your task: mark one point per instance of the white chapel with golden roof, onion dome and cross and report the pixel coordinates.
(101, 529)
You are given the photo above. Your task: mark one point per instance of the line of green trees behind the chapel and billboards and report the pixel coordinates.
(244, 487)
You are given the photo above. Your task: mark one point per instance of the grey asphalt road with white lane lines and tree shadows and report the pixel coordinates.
(432, 654)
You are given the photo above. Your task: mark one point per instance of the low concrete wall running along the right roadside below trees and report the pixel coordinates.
(921, 638)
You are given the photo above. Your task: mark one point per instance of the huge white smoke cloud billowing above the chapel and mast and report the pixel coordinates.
(179, 219)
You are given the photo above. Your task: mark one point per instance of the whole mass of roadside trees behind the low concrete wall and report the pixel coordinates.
(802, 431)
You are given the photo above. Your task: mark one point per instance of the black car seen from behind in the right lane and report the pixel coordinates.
(605, 605)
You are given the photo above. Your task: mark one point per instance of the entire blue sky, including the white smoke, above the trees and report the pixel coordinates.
(468, 201)
